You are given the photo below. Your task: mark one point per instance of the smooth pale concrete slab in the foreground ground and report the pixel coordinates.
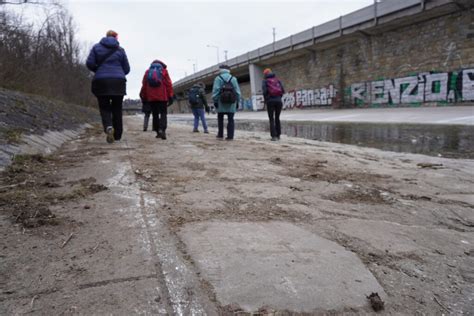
(278, 265)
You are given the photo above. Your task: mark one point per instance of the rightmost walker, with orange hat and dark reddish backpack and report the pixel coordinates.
(272, 92)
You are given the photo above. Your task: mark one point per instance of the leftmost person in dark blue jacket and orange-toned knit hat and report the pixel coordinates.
(110, 64)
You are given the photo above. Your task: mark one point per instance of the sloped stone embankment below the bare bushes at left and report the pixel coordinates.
(32, 124)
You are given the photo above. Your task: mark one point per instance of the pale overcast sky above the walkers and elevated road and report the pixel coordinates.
(177, 31)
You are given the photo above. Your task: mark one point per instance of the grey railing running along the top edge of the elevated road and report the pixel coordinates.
(367, 14)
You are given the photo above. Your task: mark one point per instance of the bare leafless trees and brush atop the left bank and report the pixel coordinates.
(44, 59)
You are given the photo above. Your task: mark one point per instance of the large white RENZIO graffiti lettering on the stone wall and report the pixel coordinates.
(423, 87)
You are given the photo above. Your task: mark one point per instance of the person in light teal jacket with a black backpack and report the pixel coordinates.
(226, 95)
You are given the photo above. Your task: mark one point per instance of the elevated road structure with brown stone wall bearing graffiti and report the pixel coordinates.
(389, 54)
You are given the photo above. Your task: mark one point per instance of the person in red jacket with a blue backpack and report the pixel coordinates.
(158, 91)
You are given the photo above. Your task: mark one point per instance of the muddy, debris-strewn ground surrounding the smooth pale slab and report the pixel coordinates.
(93, 229)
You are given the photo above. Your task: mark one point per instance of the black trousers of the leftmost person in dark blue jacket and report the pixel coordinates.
(111, 113)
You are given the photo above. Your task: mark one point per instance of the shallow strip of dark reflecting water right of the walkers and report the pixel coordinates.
(453, 141)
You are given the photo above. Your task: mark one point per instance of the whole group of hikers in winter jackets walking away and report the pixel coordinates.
(110, 65)
